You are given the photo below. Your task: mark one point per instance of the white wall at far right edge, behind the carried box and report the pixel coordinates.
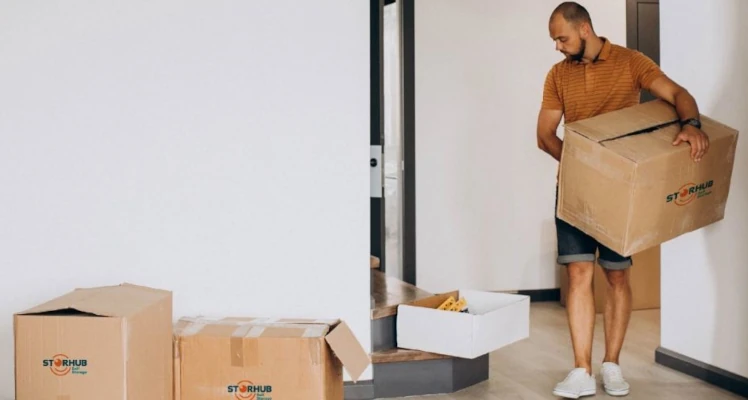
(704, 300)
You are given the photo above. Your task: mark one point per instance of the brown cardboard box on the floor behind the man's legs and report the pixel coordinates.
(644, 277)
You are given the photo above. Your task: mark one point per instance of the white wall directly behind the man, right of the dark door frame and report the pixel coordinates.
(485, 193)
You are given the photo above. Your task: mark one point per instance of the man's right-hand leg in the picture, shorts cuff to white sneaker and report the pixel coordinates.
(617, 315)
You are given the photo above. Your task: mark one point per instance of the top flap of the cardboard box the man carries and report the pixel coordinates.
(628, 121)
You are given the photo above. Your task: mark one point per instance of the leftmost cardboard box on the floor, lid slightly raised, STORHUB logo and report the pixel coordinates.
(110, 342)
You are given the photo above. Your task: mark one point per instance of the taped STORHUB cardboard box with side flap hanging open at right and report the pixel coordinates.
(263, 359)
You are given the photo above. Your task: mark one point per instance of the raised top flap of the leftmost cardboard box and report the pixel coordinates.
(107, 301)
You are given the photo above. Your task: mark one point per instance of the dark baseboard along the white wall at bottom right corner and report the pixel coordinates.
(716, 376)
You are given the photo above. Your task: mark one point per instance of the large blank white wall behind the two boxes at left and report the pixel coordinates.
(219, 150)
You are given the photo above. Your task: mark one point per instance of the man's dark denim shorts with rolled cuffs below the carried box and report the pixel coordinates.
(576, 246)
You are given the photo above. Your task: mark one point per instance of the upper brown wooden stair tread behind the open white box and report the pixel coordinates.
(389, 292)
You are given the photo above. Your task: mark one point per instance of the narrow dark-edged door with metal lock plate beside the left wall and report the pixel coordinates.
(388, 142)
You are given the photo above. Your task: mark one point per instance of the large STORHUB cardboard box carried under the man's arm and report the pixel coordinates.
(624, 183)
